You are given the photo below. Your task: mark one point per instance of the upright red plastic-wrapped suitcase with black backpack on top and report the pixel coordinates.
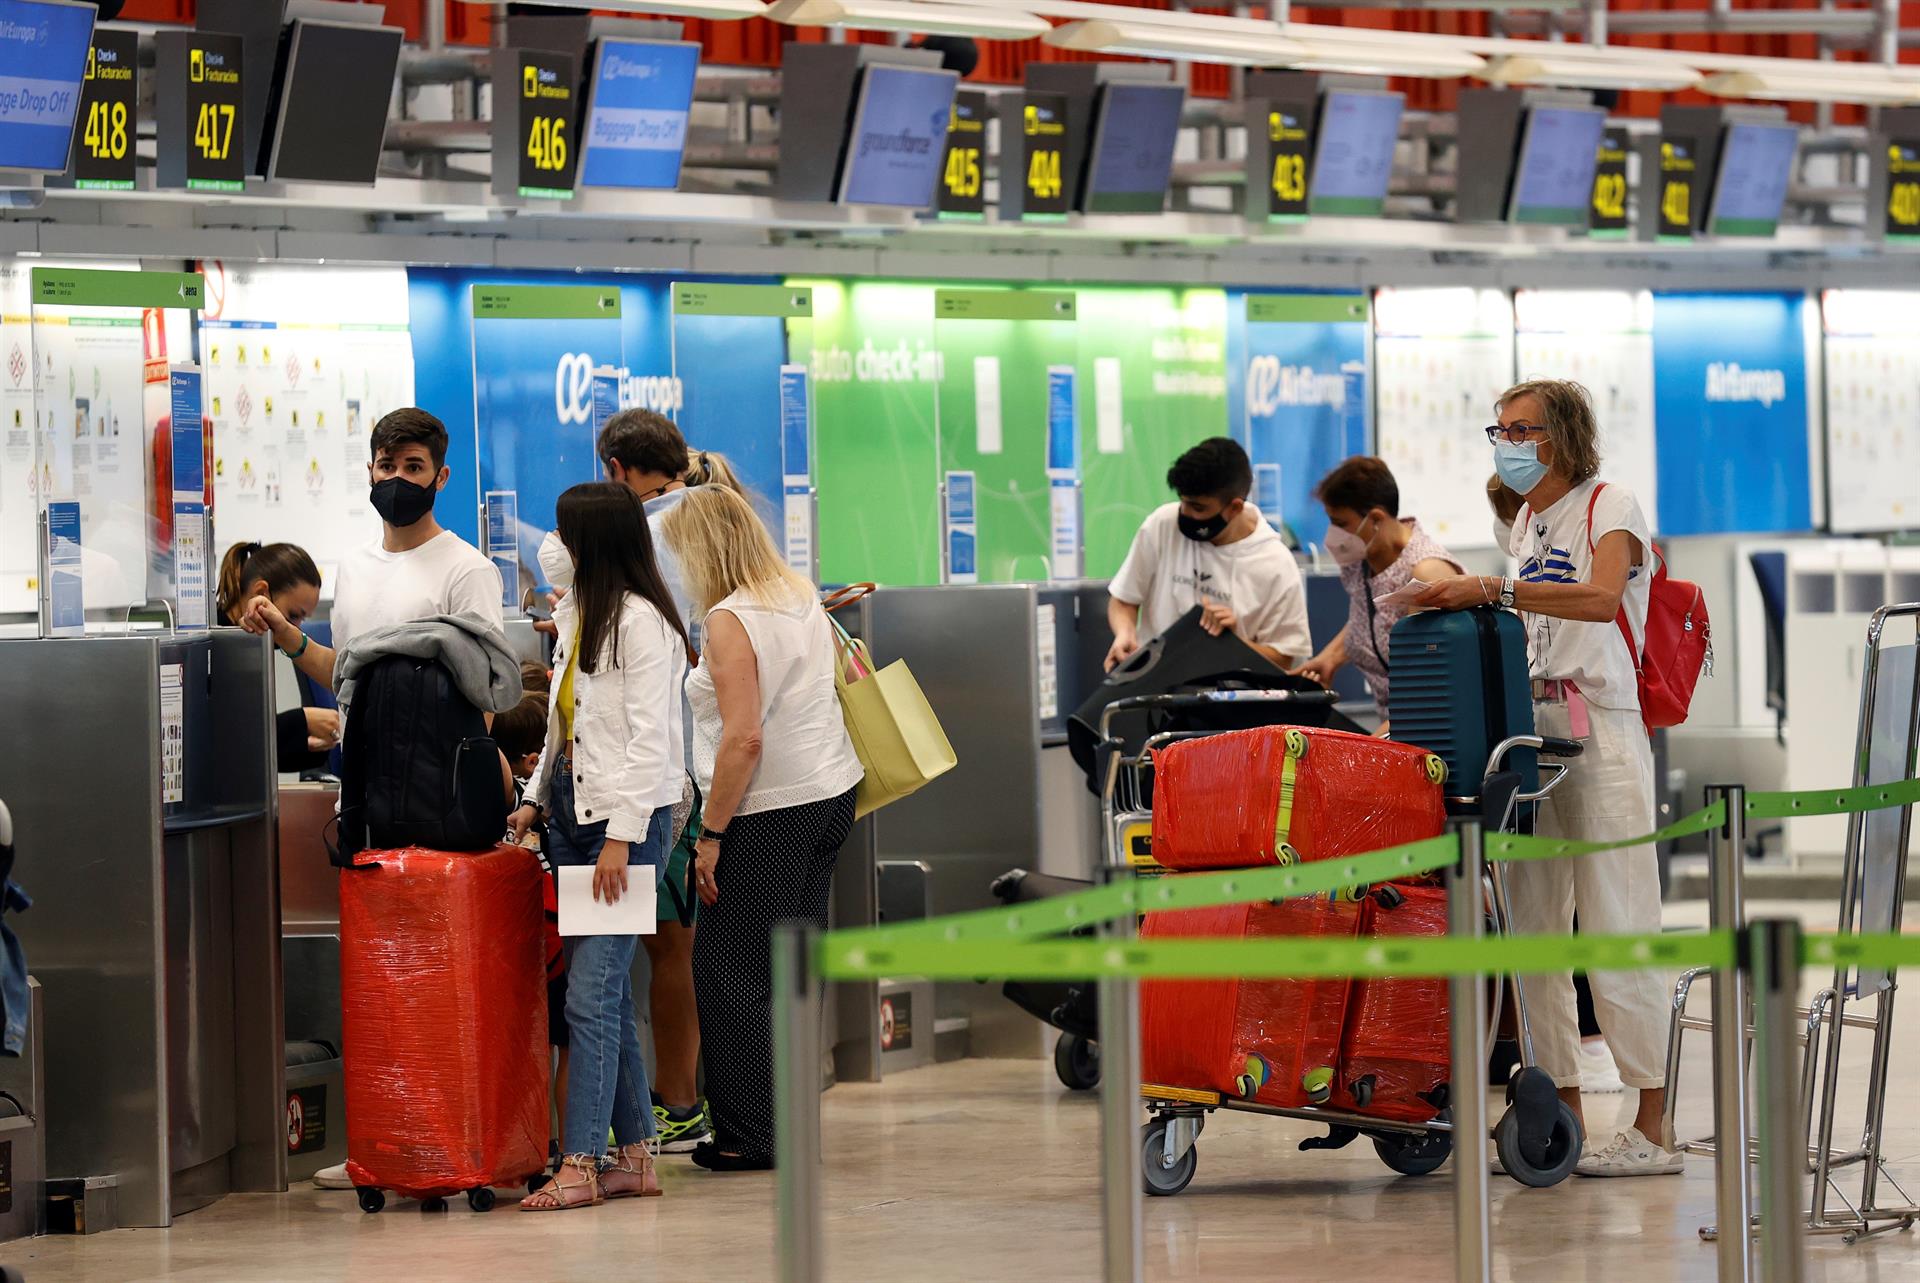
(444, 1002)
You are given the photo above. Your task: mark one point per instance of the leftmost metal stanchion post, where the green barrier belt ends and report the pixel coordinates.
(798, 1105)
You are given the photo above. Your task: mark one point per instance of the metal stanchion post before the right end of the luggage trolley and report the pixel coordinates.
(1474, 1247)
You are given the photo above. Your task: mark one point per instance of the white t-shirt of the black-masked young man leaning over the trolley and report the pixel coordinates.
(1166, 575)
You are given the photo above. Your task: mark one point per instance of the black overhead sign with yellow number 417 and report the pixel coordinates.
(201, 112)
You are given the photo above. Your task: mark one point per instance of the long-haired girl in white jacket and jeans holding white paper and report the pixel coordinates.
(608, 783)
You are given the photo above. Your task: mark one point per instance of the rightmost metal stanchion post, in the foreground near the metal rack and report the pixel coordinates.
(1773, 956)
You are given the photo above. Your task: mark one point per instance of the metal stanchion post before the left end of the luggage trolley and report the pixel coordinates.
(1120, 1113)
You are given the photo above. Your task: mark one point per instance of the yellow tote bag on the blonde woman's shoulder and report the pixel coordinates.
(892, 727)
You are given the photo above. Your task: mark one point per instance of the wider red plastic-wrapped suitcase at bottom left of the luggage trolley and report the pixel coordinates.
(1274, 1042)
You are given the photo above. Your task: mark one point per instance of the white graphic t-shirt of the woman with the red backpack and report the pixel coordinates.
(1554, 548)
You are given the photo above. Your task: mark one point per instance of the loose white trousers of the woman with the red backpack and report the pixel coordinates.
(1608, 796)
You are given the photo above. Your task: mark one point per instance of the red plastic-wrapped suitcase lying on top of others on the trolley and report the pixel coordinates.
(1284, 794)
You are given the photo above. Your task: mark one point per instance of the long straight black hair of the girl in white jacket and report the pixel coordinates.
(606, 529)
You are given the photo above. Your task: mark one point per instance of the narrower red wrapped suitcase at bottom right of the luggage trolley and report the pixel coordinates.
(1395, 1055)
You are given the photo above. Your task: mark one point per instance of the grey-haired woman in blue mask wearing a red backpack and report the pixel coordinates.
(1583, 593)
